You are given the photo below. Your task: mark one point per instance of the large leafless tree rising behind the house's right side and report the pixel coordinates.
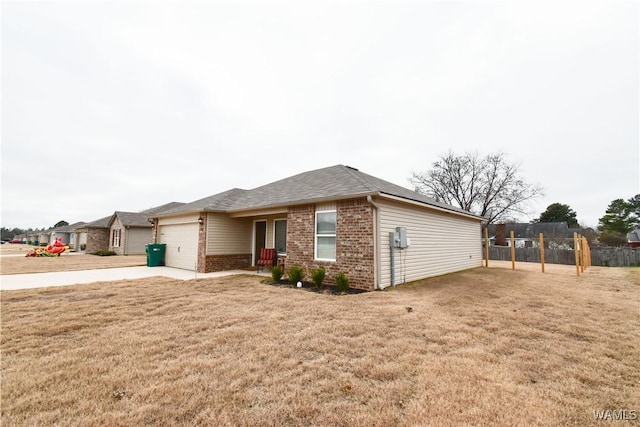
(487, 186)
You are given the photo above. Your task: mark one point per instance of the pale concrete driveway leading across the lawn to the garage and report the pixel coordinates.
(62, 278)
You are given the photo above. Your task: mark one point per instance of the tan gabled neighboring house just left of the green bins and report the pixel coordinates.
(129, 232)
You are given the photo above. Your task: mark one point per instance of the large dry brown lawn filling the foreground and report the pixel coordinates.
(481, 347)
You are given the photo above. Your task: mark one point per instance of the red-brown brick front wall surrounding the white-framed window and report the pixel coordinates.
(354, 242)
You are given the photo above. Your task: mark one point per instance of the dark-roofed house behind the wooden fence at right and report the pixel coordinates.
(557, 235)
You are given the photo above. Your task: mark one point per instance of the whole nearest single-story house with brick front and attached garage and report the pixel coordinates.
(336, 217)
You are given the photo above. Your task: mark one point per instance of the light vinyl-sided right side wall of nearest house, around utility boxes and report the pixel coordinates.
(440, 243)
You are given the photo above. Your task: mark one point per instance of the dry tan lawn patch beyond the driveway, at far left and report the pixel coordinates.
(65, 262)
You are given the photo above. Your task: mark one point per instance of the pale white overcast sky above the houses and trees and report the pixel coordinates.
(125, 106)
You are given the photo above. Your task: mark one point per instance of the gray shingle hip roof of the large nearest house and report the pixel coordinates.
(331, 183)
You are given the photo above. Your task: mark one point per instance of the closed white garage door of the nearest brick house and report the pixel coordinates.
(182, 245)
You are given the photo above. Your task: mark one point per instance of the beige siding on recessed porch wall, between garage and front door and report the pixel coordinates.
(228, 236)
